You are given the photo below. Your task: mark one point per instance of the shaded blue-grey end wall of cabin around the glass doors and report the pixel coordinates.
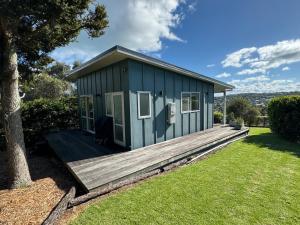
(109, 79)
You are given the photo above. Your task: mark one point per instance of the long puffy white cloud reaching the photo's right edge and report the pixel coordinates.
(265, 58)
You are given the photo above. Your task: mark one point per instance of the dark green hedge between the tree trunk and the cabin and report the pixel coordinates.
(43, 115)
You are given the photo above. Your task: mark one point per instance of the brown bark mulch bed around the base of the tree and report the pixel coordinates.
(31, 205)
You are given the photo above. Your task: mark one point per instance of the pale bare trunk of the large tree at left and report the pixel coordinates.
(10, 100)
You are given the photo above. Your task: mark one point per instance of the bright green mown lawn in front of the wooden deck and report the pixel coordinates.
(252, 181)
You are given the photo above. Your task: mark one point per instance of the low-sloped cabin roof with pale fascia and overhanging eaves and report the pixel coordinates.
(118, 53)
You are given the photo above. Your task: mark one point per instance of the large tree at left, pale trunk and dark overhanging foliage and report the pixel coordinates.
(29, 30)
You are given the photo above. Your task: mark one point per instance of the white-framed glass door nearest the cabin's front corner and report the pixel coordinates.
(118, 118)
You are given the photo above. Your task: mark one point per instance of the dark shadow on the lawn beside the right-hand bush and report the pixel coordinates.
(273, 142)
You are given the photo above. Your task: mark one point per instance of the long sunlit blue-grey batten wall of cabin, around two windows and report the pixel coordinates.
(165, 86)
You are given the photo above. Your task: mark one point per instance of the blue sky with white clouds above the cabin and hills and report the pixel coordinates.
(253, 45)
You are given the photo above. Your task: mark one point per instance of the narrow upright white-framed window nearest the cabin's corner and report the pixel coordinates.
(144, 105)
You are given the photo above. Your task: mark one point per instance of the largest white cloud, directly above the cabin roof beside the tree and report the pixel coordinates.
(140, 25)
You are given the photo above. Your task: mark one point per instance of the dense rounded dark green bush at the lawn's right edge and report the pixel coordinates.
(284, 116)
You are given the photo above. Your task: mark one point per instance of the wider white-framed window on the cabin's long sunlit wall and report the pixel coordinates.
(190, 102)
